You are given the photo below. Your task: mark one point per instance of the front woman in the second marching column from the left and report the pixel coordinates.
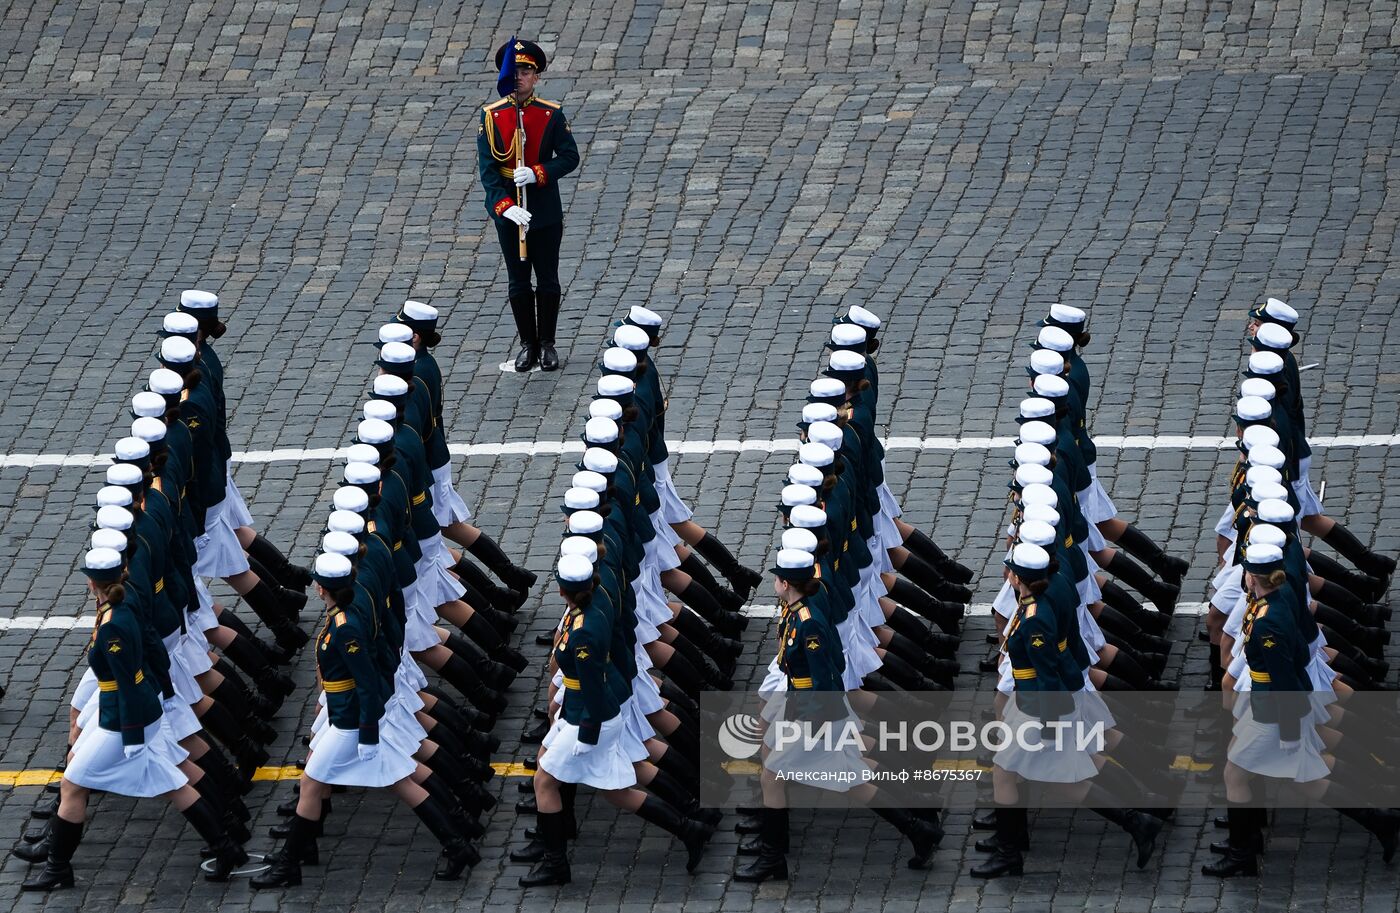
(348, 751)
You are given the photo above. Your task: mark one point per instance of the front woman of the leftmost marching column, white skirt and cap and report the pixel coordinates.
(128, 751)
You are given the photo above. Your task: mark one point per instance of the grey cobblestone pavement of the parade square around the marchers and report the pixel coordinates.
(748, 169)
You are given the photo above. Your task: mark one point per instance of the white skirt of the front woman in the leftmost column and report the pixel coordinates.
(99, 764)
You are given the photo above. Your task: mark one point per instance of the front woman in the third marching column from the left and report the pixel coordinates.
(589, 743)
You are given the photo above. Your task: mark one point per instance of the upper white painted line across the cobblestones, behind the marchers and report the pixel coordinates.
(724, 446)
